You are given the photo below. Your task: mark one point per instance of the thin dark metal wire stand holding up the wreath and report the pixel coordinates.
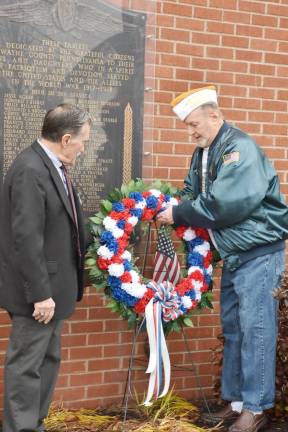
(132, 360)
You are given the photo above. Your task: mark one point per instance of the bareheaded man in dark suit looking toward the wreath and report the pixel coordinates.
(42, 252)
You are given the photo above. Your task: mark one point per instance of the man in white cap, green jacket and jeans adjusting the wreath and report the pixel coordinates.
(235, 194)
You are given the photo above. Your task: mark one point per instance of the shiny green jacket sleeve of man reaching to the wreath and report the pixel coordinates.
(238, 189)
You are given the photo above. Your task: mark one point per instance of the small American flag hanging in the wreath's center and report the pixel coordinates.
(167, 267)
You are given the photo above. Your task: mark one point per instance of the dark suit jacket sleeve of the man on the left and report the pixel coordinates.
(28, 229)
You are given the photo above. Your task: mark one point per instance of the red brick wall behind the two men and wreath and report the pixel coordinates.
(241, 46)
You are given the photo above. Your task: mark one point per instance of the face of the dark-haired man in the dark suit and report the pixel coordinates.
(75, 144)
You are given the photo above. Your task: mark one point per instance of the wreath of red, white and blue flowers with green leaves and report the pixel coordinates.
(111, 264)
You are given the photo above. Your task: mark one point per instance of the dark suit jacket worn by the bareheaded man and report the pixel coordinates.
(38, 238)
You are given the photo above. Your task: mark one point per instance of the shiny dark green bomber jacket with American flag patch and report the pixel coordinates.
(242, 205)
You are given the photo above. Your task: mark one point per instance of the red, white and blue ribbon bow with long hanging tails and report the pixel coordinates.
(165, 304)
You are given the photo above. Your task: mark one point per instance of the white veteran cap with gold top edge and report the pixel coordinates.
(187, 102)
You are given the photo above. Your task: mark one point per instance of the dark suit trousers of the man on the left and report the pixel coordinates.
(31, 368)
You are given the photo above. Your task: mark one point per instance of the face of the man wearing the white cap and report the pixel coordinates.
(202, 126)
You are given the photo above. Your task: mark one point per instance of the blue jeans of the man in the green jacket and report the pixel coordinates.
(249, 323)
